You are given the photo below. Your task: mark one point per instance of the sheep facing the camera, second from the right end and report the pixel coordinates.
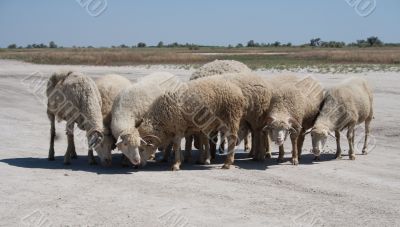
(294, 108)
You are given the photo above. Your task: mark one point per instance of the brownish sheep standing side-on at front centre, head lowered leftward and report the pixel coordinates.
(204, 105)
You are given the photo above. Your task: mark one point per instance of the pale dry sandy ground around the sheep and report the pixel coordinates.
(36, 192)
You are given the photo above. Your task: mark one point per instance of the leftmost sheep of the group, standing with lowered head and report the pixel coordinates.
(74, 98)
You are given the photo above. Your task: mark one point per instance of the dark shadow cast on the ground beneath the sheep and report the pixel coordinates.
(242, 161)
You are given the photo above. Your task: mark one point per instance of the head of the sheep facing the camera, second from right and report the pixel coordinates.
(281, 127)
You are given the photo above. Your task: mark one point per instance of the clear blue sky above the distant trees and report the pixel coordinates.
(210, 22)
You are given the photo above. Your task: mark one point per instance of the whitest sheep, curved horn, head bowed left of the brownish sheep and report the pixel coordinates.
(129, 107)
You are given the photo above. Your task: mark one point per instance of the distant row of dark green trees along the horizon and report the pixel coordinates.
(372, 41)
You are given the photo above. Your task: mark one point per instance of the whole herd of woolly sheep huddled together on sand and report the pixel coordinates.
(223, 100)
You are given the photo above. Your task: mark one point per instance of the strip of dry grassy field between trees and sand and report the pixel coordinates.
(266, 57)
